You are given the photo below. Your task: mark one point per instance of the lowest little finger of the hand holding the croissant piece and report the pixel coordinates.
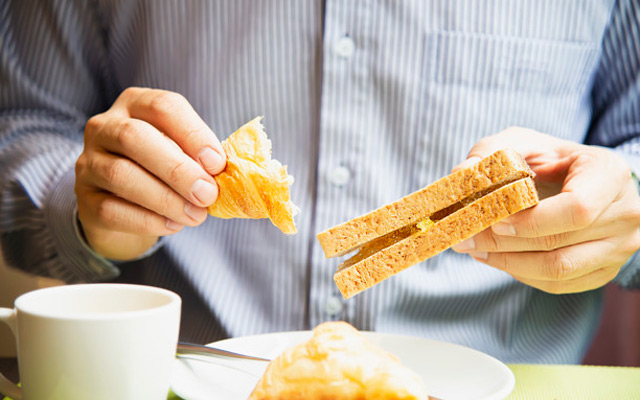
(110, 212)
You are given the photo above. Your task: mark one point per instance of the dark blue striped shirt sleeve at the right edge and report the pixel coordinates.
(616, 102)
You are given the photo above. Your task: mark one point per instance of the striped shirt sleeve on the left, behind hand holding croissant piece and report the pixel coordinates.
(52, 78)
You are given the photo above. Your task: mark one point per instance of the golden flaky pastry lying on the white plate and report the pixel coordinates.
(338, 362)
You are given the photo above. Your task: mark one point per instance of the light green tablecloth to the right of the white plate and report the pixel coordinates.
(568, 382)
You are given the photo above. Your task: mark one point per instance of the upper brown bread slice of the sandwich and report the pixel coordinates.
(502, 166)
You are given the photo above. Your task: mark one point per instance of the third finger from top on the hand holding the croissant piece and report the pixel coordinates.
(130, 181)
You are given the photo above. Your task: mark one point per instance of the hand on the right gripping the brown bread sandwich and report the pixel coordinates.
(585, 227)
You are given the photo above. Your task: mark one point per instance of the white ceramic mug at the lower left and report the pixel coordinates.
(94, 341)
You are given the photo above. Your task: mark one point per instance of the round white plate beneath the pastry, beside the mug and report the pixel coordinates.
(451, 372)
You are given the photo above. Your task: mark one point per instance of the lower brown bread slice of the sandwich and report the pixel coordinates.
(445, 233)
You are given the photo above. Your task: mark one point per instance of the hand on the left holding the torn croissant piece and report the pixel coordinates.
(146, 171)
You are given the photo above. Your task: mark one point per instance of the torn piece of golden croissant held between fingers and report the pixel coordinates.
(253, 185)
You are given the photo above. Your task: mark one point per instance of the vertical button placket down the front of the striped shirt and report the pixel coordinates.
(344, 100)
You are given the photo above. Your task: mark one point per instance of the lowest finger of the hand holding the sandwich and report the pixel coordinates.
(557, 265)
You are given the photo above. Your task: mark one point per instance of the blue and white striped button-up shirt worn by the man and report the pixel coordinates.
(365, 101)
